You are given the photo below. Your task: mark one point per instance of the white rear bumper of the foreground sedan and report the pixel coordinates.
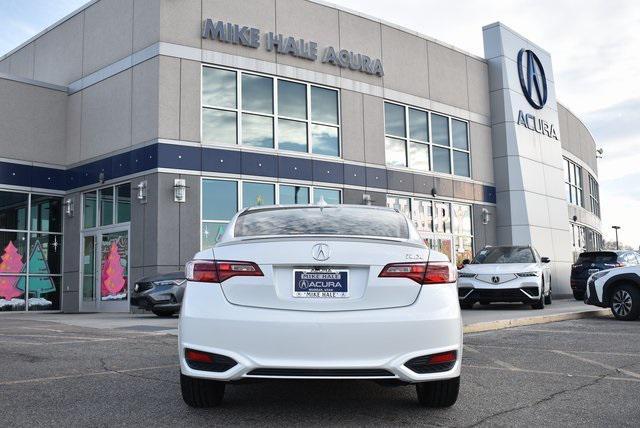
(357, 344)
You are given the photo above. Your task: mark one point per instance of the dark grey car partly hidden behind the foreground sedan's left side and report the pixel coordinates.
(160, 294)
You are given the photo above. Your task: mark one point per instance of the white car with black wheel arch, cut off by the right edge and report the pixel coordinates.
(618, 289)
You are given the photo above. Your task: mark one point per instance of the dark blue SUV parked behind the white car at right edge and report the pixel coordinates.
(591, 262)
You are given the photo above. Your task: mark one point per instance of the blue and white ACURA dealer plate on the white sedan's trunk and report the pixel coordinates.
(320, 283)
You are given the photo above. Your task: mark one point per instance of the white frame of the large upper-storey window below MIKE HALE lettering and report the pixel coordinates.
(239, 111)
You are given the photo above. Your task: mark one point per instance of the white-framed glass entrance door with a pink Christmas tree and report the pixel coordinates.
(105, 270)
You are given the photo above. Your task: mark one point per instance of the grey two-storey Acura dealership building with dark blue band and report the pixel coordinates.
(132, 131)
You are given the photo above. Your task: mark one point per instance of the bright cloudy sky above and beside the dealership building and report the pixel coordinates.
(594, 45)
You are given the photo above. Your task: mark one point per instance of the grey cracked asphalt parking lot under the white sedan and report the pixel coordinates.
(570, 373)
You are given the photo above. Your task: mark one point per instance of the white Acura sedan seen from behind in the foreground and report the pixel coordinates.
(320, 292)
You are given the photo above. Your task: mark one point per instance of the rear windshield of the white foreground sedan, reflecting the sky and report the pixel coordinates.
(350, 221)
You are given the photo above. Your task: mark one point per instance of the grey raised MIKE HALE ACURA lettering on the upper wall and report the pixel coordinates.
(235, 34)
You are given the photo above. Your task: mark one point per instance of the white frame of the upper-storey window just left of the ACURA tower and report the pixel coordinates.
(430, 144)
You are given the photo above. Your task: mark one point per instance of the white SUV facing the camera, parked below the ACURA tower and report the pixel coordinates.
(506, 274)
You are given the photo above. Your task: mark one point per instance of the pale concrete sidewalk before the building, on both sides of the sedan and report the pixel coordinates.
(480, 318)
